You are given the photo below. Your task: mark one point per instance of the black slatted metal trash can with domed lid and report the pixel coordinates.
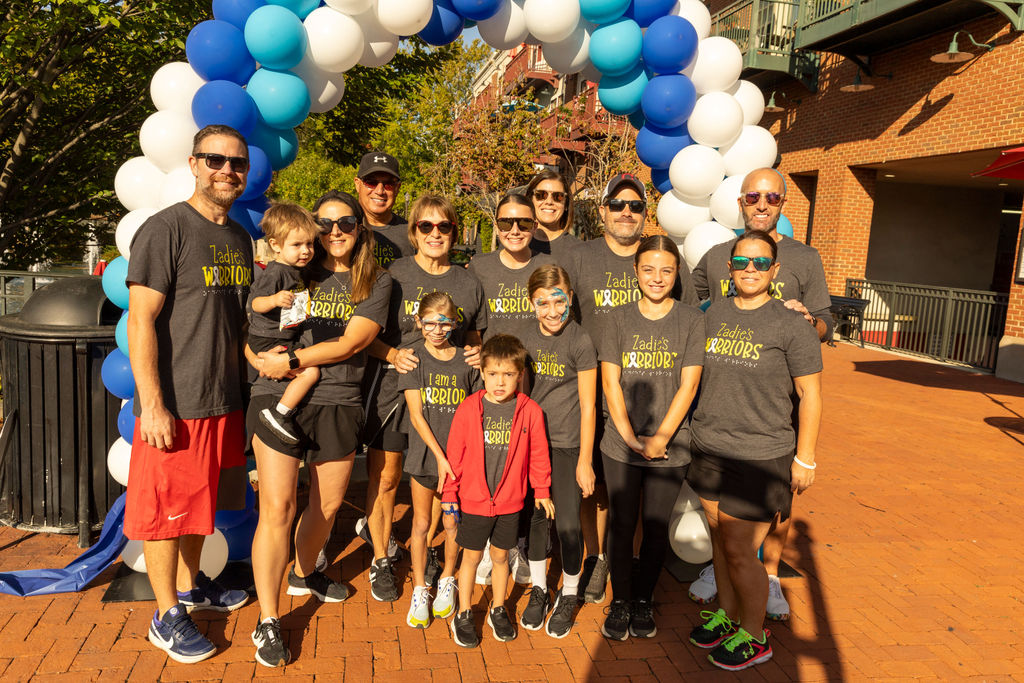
(60, 420)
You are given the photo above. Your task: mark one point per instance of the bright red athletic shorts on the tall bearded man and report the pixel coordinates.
(175, 493)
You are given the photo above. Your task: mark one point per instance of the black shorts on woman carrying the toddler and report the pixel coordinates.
(326, 433)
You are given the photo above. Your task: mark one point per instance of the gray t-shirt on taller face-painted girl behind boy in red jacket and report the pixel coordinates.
(553, 363)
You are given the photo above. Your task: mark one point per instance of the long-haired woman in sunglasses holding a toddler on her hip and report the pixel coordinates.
(348, 309)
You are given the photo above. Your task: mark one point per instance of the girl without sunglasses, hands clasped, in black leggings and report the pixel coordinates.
(652, 357)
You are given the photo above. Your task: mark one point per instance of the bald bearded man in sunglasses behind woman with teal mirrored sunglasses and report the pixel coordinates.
(801, 286)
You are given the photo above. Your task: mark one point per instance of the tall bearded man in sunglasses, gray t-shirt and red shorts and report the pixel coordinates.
(189, 280)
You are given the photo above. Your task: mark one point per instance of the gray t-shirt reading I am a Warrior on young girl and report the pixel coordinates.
(443, 386)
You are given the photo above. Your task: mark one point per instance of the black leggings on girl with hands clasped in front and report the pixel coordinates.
(659, 488)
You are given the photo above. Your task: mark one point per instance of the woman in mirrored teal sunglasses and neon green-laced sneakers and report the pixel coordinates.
(748, 460)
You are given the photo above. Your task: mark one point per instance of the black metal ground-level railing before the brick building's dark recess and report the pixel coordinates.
(950, 325)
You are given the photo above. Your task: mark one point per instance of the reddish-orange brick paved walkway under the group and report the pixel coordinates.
(908, 544)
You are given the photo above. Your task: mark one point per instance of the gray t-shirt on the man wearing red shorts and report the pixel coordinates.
(205, 271)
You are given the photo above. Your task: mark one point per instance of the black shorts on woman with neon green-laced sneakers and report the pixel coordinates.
(751, 490)
